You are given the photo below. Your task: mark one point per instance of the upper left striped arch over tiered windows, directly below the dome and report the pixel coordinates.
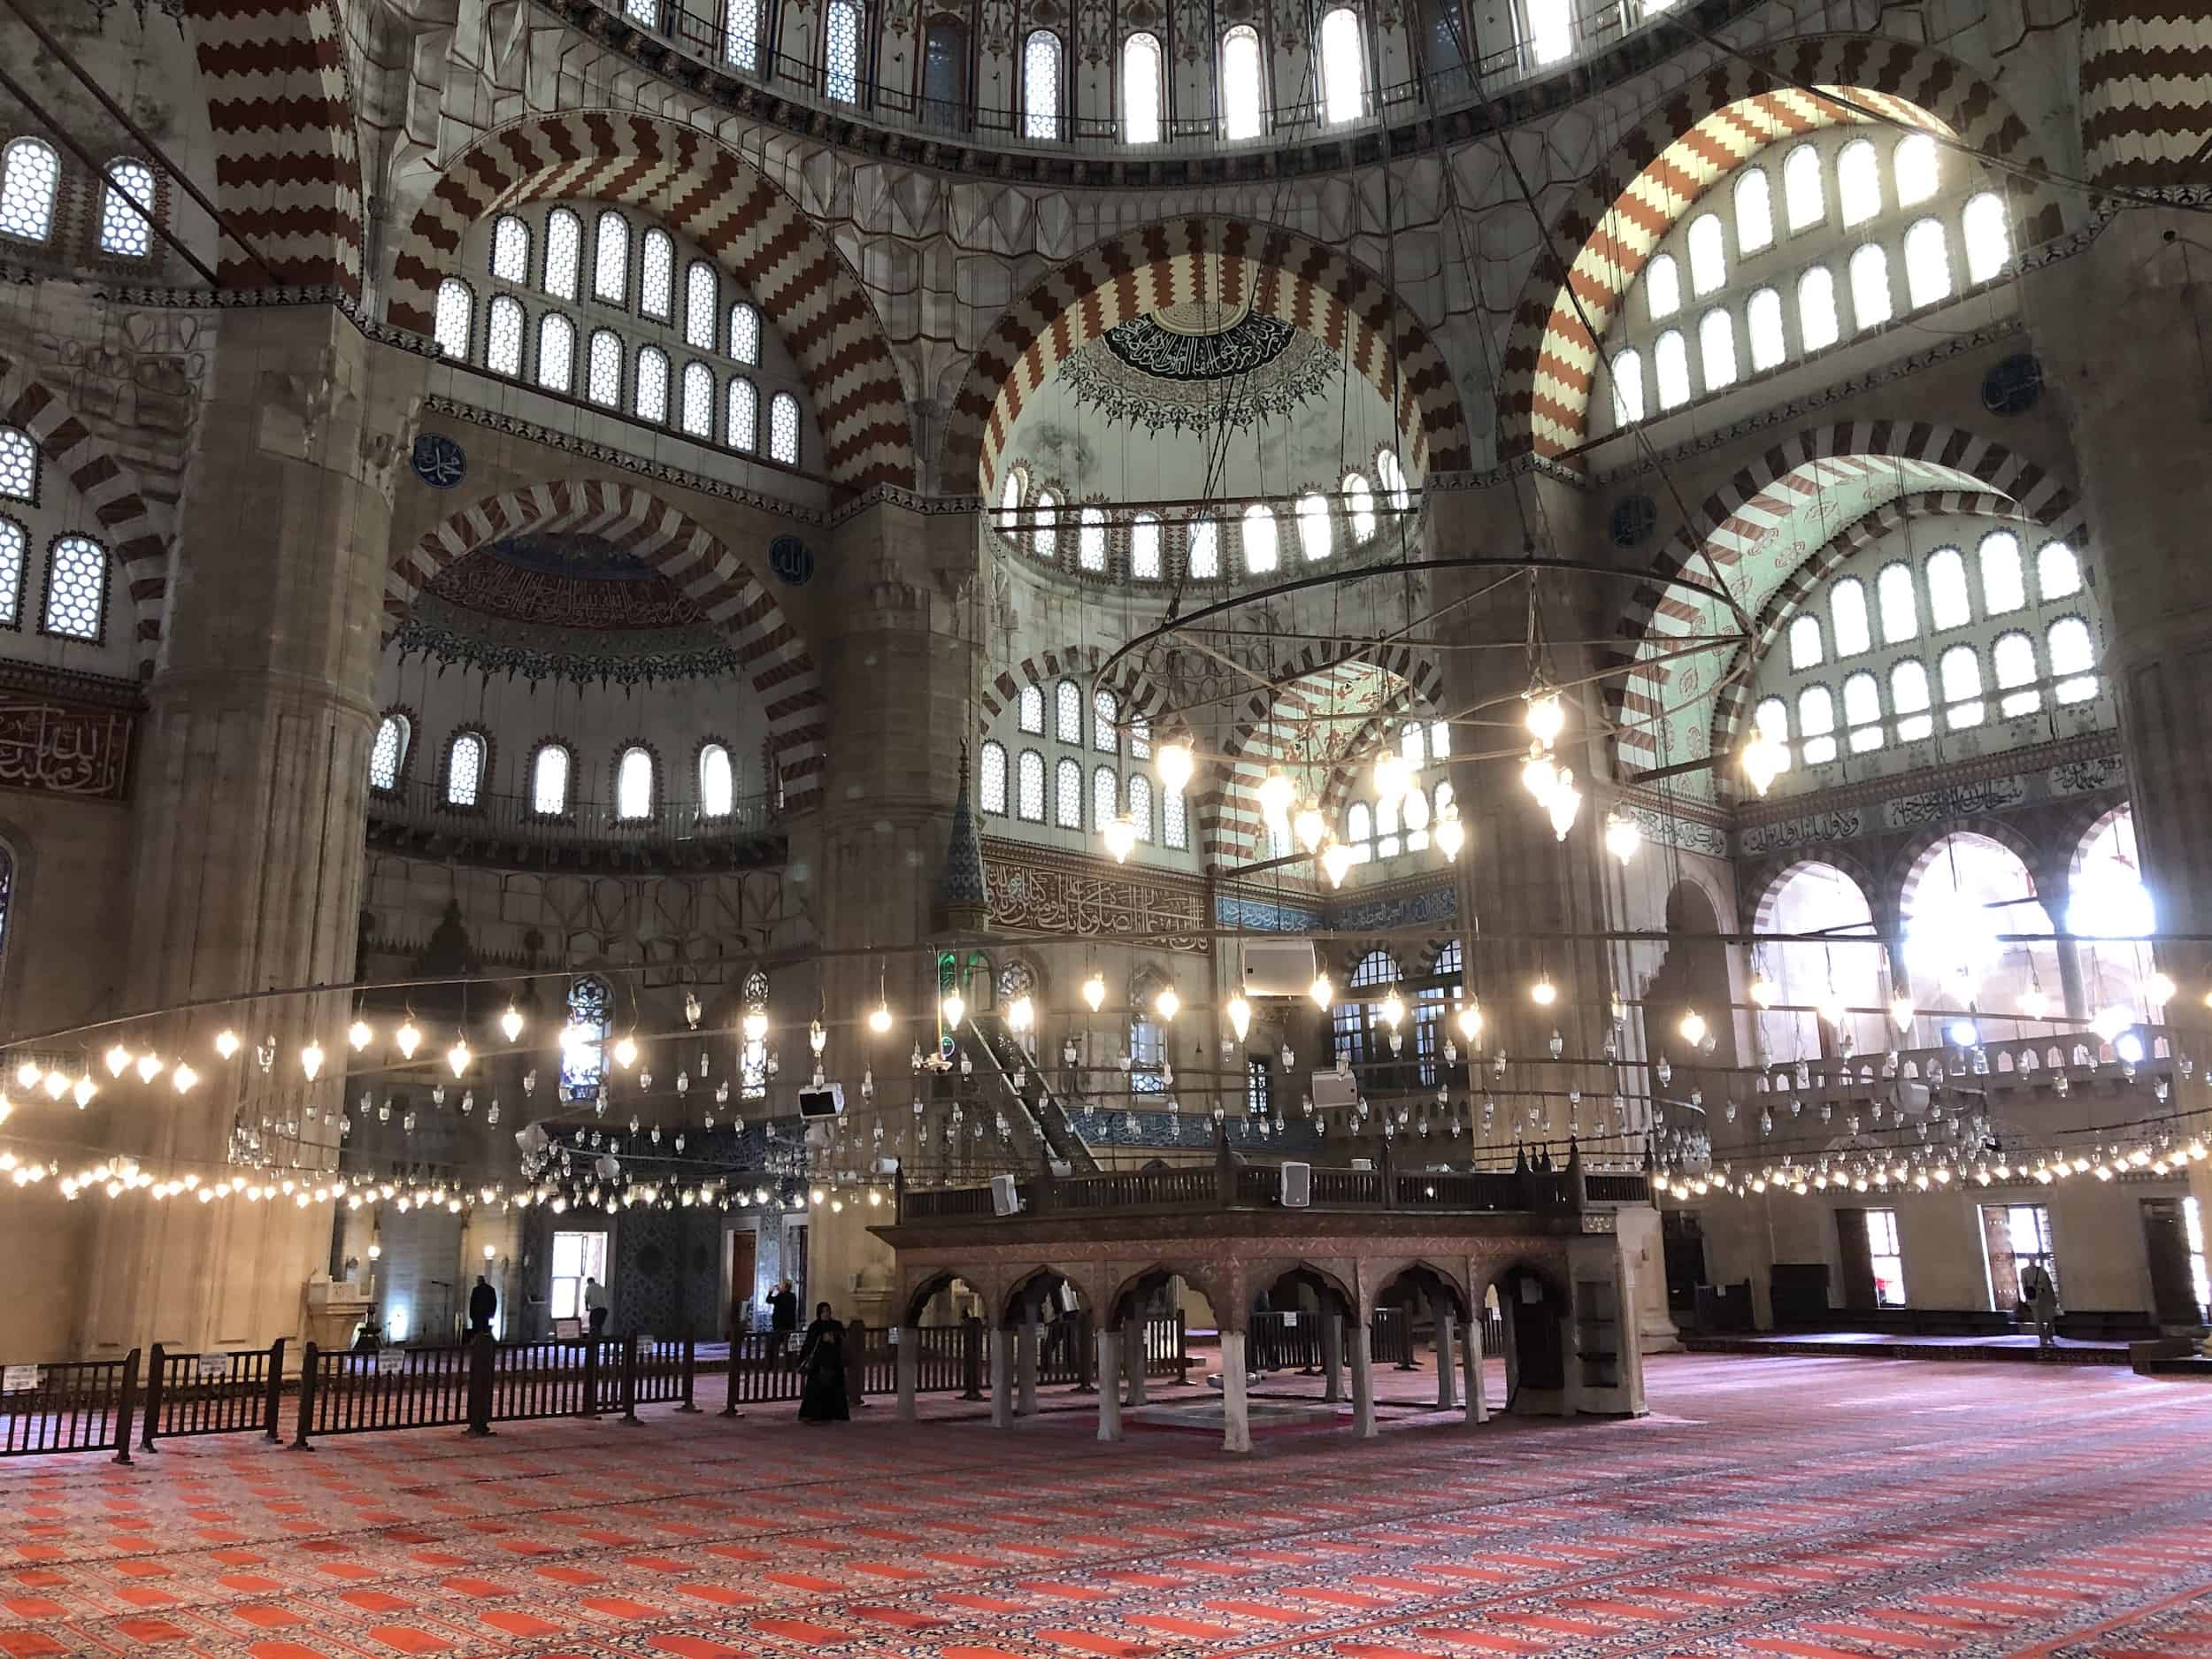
(709, 194)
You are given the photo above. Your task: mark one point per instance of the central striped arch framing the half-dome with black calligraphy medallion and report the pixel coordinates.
(1218, 260)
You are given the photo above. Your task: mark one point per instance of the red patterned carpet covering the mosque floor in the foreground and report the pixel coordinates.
(1768, 1507)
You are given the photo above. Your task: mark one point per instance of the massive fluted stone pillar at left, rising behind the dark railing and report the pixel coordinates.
(249, 817)
